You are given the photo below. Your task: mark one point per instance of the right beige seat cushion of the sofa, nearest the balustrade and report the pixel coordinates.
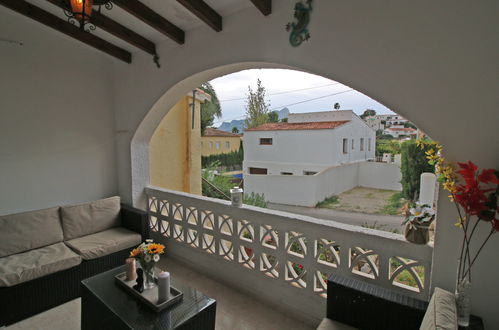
(104, 243)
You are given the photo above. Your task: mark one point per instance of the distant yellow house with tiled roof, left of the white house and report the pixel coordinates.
(215, 141)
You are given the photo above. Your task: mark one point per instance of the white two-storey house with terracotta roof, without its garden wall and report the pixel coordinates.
(292, 148)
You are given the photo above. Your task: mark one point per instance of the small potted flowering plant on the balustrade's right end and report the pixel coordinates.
(418, 220)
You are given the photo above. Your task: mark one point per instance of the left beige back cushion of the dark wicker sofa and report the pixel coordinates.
(29, 230)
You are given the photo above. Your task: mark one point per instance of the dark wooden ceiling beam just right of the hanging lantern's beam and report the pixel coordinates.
(153, 19)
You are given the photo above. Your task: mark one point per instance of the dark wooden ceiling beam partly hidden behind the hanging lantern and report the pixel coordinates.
(114, 28)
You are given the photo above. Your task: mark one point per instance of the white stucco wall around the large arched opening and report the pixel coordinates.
(403, 54)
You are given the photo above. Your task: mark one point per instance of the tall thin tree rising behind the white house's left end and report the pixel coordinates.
(256, 107)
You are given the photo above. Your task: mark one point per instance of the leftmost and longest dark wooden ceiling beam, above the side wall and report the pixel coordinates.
(46, 18)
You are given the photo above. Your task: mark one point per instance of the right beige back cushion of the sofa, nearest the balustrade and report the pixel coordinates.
(89, 218)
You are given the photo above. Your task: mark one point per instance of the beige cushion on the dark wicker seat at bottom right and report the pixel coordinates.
(441, 312)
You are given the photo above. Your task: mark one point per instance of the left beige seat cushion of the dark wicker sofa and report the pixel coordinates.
(29, 265)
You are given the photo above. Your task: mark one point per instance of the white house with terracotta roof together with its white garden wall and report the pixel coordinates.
(313, 156)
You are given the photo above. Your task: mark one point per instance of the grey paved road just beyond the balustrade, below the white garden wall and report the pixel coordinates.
(384, 222)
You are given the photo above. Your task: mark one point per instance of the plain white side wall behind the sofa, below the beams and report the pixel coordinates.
(57, 137)
